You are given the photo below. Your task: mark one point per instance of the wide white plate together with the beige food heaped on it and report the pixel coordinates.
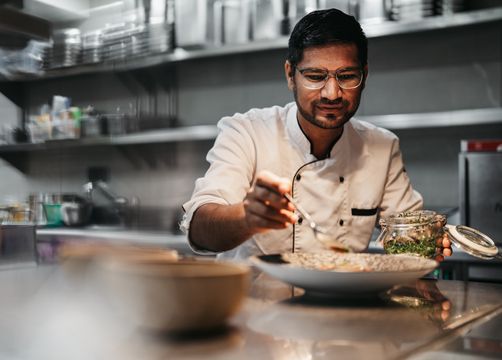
(342, 274)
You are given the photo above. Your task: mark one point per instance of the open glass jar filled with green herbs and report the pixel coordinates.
(412, 232)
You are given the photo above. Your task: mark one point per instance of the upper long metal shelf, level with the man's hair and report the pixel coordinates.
(387, 28)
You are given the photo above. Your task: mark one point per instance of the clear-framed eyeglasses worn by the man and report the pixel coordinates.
(316, 79)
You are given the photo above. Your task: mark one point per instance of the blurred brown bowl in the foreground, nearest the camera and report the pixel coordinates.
(184, 295)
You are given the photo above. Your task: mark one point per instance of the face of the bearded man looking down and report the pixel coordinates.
(331, 106)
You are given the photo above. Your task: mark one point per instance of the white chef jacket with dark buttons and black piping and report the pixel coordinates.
(362, 179)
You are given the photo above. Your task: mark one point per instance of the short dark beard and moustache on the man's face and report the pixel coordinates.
(330, 121)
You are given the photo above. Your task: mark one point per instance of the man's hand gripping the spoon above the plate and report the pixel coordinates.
(265, 206)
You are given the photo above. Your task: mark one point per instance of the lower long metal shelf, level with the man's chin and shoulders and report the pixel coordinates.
(209, 132)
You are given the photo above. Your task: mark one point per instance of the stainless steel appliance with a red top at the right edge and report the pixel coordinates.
(480, 174)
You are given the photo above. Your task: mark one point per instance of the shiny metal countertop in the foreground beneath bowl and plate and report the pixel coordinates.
(48, 313)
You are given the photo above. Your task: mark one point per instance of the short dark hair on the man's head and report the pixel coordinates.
(323, 27)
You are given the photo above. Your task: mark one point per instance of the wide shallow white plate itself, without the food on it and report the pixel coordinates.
(347, 283)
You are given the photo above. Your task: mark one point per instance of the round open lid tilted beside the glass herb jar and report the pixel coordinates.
(473, 241)
